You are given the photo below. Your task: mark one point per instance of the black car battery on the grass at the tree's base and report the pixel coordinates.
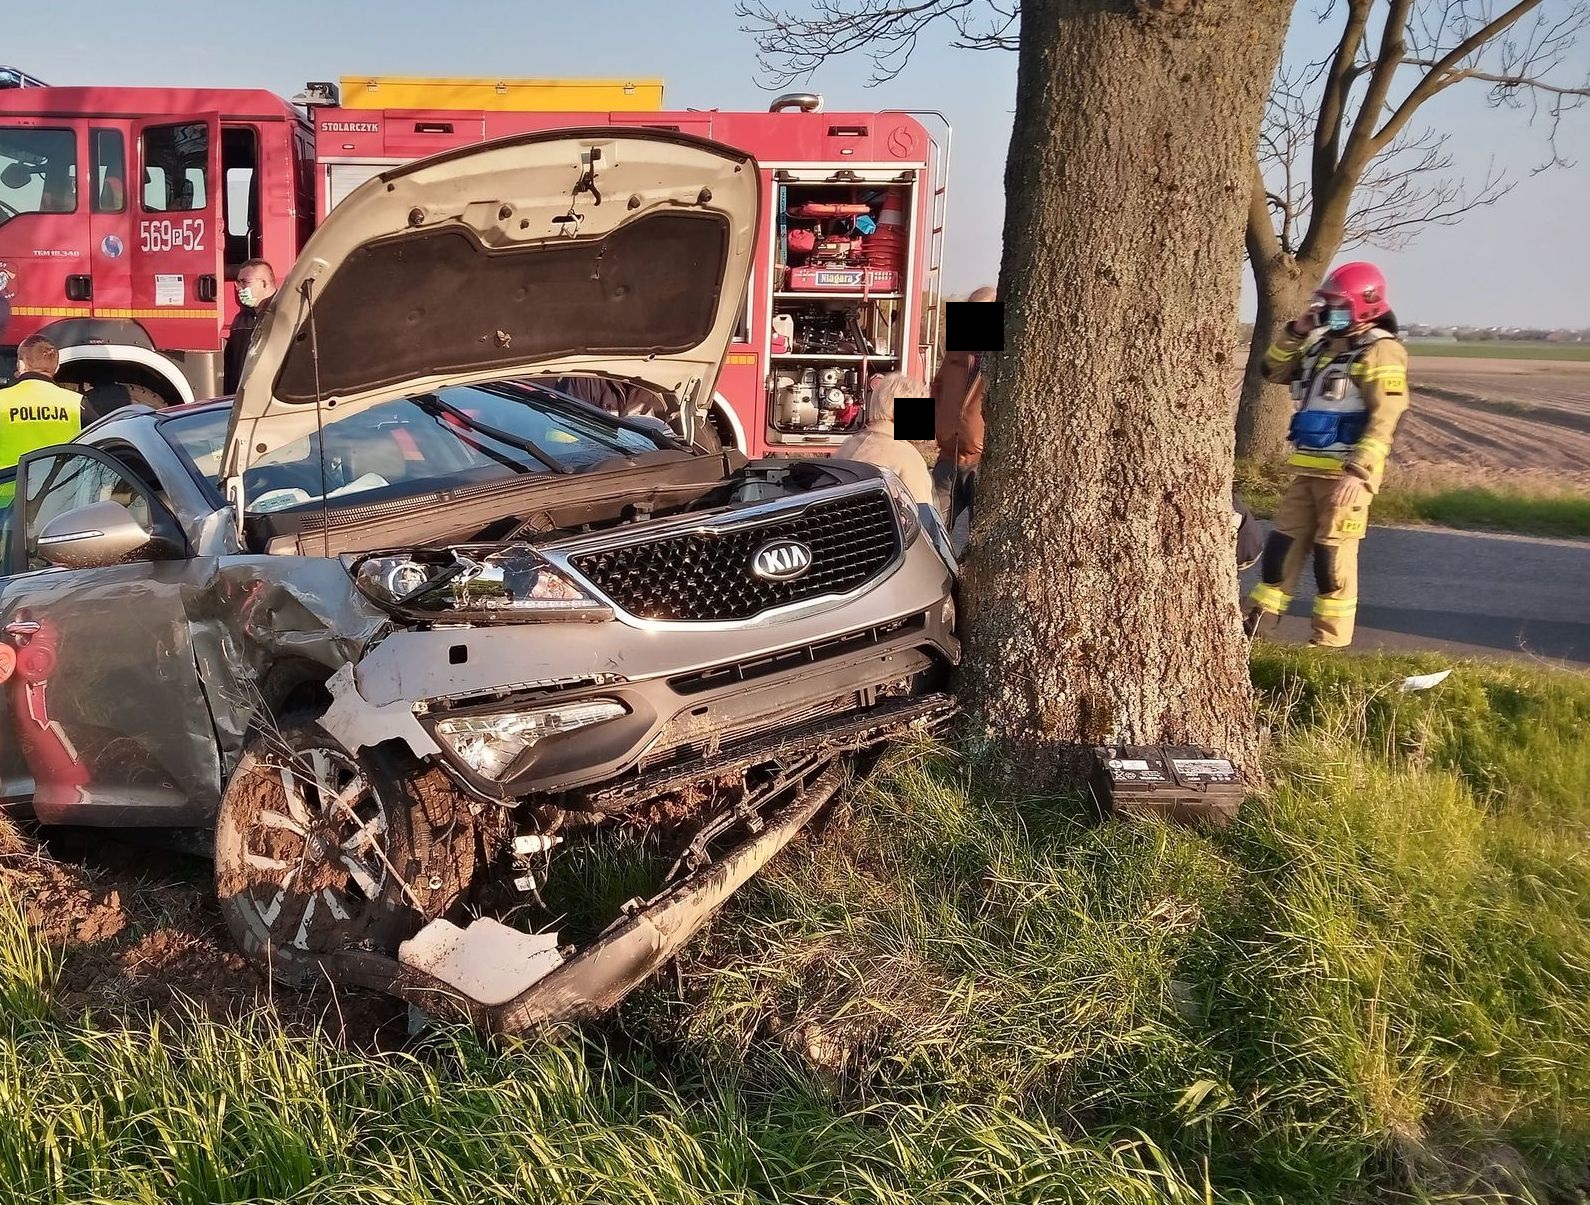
(1174, 783)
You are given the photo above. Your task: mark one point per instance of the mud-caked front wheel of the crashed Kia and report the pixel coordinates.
(320, 851)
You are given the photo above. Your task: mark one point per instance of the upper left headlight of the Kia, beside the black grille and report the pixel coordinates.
(506, 584)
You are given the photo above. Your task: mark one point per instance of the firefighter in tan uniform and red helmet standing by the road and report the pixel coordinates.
(1349, 379)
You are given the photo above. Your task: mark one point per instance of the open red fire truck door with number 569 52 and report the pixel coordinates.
(179, 238)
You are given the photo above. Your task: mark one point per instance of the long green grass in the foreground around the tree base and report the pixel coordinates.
(1373, 986)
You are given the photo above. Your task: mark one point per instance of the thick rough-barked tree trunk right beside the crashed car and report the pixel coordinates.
(1103, 595)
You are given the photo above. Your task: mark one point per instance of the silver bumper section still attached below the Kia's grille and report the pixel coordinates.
(675, 691)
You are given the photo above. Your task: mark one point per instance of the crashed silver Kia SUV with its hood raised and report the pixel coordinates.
(487, 699)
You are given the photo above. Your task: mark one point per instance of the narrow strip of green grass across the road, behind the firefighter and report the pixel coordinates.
(1429, 500)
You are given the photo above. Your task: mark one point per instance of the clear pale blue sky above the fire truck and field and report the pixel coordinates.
(1526, 262)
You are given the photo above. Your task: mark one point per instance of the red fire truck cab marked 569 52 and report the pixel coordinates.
(123, 215)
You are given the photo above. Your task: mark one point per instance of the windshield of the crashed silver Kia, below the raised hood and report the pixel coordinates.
(475, 433)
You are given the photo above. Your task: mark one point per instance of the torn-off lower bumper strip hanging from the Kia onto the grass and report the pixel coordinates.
(510, 983)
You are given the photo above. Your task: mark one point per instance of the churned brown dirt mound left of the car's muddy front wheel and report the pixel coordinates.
(138, 937)
